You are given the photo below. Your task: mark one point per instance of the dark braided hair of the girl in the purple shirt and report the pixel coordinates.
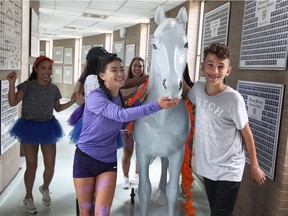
(101, 69)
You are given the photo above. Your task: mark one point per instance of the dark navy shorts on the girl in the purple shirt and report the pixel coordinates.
(85, 166)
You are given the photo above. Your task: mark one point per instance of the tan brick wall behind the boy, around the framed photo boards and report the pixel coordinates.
(272, 198)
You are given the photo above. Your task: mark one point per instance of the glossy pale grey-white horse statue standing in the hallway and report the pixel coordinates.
(164, 133)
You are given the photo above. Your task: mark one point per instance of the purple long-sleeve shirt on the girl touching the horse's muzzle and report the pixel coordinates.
(102, 120)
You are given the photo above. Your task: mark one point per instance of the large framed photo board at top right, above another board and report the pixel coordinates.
(265, 35)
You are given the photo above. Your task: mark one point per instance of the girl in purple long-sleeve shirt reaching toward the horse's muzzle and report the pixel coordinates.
(95, 160)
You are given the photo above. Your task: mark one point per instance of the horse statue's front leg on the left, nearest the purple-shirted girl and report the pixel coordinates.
(144, 188)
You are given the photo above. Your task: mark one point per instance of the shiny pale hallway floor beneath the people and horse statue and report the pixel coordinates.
(62, 188)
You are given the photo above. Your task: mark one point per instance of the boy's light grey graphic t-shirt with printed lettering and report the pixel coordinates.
(219, 150)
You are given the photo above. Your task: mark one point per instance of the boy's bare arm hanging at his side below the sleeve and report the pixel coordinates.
(257, 174)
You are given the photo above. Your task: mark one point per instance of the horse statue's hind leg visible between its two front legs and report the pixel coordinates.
(159, 196)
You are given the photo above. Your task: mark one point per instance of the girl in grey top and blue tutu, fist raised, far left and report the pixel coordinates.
(37, 125)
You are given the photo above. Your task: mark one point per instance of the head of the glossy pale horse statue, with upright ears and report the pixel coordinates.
(169, 53)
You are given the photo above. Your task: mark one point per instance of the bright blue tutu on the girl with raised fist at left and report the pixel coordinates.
(37, 132)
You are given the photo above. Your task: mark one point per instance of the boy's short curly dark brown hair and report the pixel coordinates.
(220, 50)
